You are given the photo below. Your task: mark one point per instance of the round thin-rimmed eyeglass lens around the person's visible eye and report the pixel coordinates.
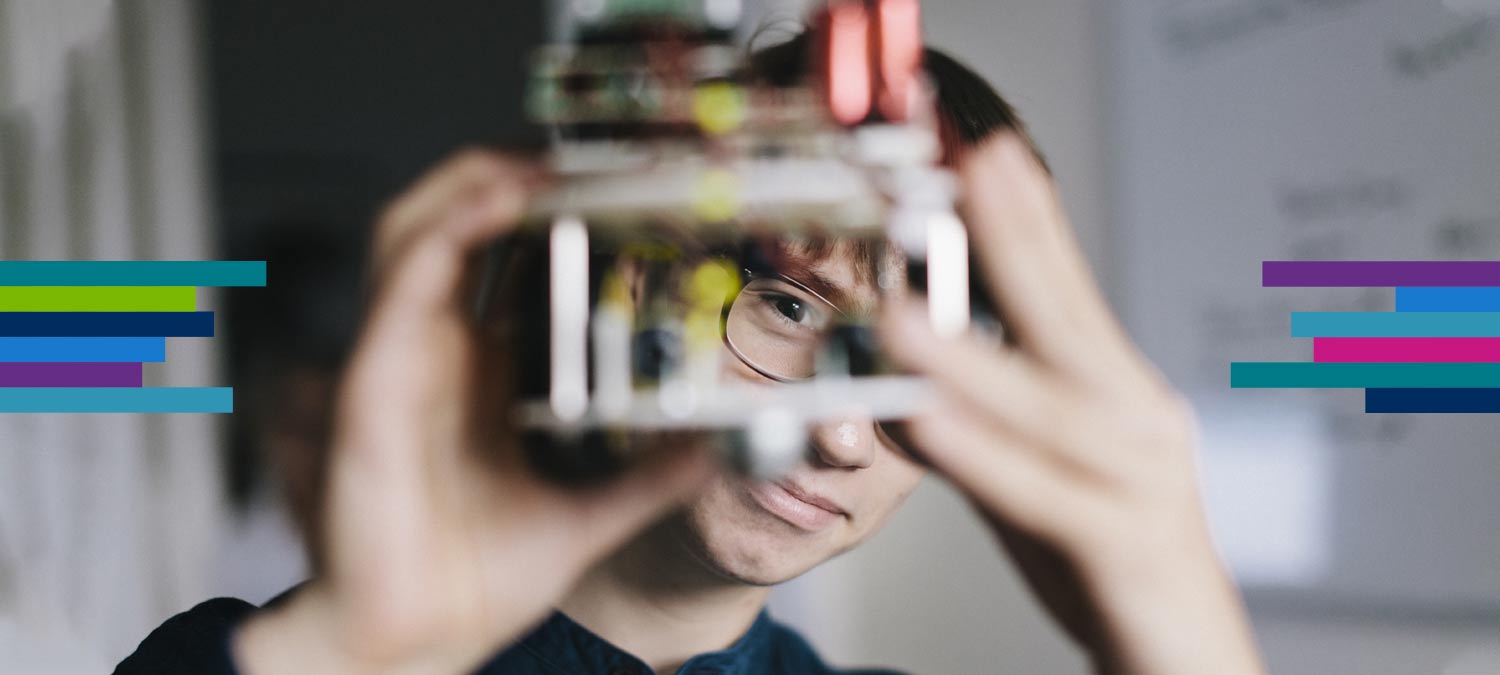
(778, 326)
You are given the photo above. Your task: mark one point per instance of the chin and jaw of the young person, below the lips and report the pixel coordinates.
(736, 539)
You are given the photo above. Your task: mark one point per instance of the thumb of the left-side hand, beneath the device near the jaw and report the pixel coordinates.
(616, 512)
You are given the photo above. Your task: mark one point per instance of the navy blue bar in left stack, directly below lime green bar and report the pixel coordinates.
(107, 325)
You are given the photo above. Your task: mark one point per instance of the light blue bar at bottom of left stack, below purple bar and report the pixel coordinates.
(115, 400)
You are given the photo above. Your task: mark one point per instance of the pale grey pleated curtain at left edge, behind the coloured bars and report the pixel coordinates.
(107, 523)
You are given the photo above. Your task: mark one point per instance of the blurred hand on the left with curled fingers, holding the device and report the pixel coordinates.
(439, 545)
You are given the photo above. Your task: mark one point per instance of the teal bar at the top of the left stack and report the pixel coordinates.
(133, 274)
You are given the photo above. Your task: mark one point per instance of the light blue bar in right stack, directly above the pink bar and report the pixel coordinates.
(1396, 325)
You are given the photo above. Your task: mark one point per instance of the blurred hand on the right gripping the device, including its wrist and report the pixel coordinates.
(1070, 443)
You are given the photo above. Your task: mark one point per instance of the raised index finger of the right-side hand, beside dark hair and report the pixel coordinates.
(1033, 260)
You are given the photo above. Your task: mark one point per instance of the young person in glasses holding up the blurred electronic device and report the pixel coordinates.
(440, 553)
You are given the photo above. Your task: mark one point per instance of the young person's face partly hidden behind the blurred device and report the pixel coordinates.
(850, 482)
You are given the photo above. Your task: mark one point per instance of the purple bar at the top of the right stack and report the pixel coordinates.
(1381, 274)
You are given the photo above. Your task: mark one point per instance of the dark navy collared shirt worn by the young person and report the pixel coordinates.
(199, 643)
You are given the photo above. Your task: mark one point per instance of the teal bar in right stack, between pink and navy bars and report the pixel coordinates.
(1363, 376)
